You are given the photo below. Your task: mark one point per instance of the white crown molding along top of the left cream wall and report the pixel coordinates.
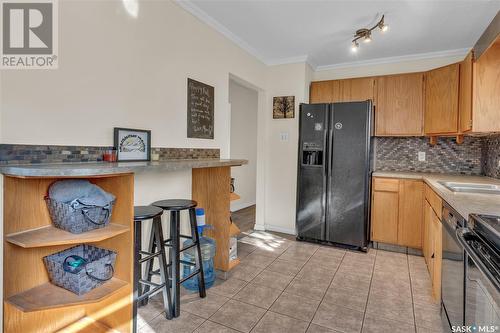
(191, 8)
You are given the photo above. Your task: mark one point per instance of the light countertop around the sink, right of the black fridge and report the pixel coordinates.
(463, 203)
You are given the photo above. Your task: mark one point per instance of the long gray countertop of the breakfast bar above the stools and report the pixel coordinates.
(106, 168)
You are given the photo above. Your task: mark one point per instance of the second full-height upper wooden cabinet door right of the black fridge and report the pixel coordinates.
(441, 100)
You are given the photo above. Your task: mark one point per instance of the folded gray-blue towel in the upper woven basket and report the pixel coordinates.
(80, 192)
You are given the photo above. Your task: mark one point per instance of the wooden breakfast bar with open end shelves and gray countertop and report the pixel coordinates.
(31, 303)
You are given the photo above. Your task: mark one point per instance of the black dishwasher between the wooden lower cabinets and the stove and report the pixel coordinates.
(452, 286)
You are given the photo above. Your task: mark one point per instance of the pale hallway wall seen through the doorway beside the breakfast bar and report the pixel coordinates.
(244, 108)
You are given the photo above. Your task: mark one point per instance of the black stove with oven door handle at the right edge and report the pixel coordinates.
(481, 242)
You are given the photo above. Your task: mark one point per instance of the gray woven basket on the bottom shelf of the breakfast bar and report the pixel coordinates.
(98, 269)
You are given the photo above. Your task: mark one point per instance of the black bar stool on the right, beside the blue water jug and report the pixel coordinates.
(175, 206)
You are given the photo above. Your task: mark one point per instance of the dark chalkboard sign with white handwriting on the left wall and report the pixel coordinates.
(200, 112)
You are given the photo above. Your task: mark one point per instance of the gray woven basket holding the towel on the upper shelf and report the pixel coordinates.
(78, 220)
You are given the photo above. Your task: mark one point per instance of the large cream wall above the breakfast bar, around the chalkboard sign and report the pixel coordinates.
(117, 70)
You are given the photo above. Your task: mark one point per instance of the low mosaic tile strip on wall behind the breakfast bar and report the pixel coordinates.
(25, 154)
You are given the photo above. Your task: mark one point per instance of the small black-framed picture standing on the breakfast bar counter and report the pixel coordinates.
(132, 145)
